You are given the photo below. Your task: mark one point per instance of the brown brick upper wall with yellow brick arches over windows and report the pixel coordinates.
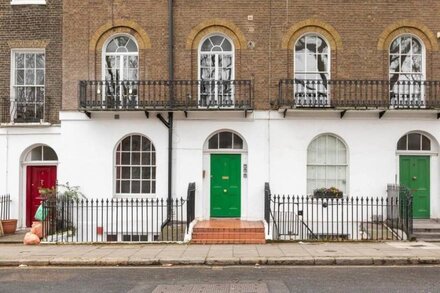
(355, 27)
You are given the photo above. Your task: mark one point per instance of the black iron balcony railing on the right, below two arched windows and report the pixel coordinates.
(301, 93)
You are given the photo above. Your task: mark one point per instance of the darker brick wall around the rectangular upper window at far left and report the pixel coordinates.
(33, 26)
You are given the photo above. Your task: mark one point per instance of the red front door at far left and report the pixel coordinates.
(37, 177)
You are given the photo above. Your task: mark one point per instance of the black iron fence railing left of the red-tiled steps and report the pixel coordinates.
(116, 220)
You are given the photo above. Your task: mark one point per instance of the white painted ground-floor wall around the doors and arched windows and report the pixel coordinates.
(277, 149)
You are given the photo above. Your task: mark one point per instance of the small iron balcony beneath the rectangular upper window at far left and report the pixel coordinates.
(24, 111)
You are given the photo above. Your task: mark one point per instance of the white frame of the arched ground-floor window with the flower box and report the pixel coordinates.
(346, 165)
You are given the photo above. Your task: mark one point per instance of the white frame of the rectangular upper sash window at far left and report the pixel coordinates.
(13, 77)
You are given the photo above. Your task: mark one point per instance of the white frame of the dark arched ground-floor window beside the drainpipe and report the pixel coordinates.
(152, 179)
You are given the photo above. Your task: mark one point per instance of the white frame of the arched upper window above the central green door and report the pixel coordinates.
(199, 59)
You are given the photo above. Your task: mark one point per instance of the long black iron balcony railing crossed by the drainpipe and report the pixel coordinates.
(126, 95)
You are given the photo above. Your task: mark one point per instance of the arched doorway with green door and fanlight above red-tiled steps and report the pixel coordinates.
(225, 163)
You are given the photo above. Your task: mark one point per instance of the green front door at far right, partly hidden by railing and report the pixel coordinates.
(414, 174)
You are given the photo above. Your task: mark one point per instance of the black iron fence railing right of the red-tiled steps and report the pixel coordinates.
(337, 219)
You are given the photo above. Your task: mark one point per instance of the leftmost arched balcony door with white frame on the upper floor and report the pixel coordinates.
(121, 70)
